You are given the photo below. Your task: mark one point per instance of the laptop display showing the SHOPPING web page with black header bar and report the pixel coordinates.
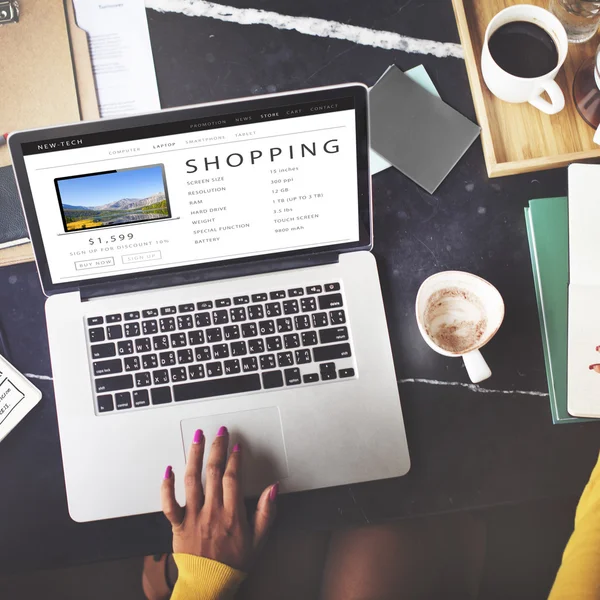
(202, 190)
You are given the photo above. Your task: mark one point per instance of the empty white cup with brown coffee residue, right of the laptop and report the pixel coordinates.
(458, 313)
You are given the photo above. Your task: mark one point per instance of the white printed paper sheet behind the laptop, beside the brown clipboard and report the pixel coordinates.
(121, 55)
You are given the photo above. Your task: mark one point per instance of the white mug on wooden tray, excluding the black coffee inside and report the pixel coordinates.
(511, 88)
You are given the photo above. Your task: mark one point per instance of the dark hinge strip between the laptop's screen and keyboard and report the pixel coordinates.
(151, 281)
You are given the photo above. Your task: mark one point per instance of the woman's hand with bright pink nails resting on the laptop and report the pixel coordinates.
(213, 524)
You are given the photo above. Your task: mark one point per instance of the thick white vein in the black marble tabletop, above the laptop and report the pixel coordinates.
(387, 40)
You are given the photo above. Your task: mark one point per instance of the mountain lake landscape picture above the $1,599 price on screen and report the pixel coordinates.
(113, 198)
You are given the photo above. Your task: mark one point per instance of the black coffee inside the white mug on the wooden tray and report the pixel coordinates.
(523, 49)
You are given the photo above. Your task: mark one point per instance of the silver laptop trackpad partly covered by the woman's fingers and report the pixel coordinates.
(259, 432)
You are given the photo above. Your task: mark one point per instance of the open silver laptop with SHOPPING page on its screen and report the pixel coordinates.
(206, 266)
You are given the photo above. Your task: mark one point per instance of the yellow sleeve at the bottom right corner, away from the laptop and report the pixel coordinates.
(579, 574)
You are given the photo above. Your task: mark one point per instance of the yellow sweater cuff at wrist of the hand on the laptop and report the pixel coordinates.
(204, 579)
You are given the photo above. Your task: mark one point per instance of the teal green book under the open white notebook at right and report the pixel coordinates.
(548, 233)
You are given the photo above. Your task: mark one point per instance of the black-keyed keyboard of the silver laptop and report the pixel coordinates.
(210, 348)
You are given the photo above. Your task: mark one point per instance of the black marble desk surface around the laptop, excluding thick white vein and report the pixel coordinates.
(469, 447)
